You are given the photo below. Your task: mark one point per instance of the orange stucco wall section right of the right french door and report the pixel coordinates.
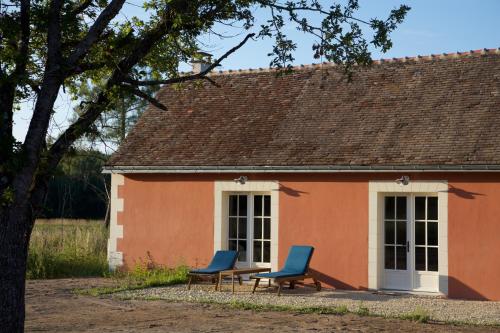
(474, 237)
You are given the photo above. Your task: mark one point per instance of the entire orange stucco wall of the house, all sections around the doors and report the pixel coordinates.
(171, 217)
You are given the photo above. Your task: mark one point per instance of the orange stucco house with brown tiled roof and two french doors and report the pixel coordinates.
(393, 176)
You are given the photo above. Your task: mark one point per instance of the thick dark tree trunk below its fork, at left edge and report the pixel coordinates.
(15, 228)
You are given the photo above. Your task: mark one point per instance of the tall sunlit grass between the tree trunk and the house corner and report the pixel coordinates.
(67, 249)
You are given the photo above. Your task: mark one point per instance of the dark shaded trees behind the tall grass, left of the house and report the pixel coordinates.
(78, 189)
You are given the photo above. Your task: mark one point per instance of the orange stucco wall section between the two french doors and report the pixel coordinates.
(329, 213)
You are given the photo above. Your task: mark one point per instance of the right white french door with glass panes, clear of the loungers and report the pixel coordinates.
(411, 246)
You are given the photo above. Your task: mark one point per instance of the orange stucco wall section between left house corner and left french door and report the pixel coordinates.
(167, 217)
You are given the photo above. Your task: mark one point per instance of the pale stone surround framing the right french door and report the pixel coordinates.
(377, 191)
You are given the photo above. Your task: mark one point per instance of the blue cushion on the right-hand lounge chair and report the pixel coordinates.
(297, 263)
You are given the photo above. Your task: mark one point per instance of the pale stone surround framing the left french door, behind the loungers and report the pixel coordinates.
(222, 190)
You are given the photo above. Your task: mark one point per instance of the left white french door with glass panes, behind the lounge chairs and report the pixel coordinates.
(249, 228)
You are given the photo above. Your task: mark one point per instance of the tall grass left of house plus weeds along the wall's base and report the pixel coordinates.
(63, 248)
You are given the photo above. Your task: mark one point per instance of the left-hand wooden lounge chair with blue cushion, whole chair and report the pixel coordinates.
(222, 260)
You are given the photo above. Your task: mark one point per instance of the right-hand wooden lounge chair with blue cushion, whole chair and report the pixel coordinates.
(296, 268)
